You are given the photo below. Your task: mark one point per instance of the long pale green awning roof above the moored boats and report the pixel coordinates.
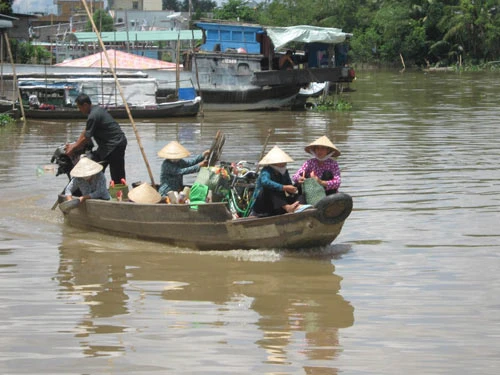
(139, 36)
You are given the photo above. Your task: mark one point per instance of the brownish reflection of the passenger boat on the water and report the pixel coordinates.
(295, 301)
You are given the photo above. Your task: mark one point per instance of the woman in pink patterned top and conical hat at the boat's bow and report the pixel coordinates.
(322, 167)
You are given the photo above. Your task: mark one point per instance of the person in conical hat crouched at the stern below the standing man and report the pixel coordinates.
(89, 180)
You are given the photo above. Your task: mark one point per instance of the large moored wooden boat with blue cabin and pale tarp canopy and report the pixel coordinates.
(238, 70)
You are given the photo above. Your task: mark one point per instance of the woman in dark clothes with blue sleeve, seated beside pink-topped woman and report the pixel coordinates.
(274, 192)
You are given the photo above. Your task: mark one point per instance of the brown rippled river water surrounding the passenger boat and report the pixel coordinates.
(410, 286)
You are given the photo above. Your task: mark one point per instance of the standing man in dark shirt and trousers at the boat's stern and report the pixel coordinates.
(111, 140)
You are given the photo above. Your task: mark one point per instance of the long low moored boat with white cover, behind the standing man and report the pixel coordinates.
(56, 96)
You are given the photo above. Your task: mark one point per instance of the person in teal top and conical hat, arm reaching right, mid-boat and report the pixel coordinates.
(176, 165)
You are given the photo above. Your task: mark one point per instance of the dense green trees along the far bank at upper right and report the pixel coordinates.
(419, 31)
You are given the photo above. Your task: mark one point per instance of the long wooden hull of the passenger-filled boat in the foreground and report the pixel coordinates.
(210, 226)
